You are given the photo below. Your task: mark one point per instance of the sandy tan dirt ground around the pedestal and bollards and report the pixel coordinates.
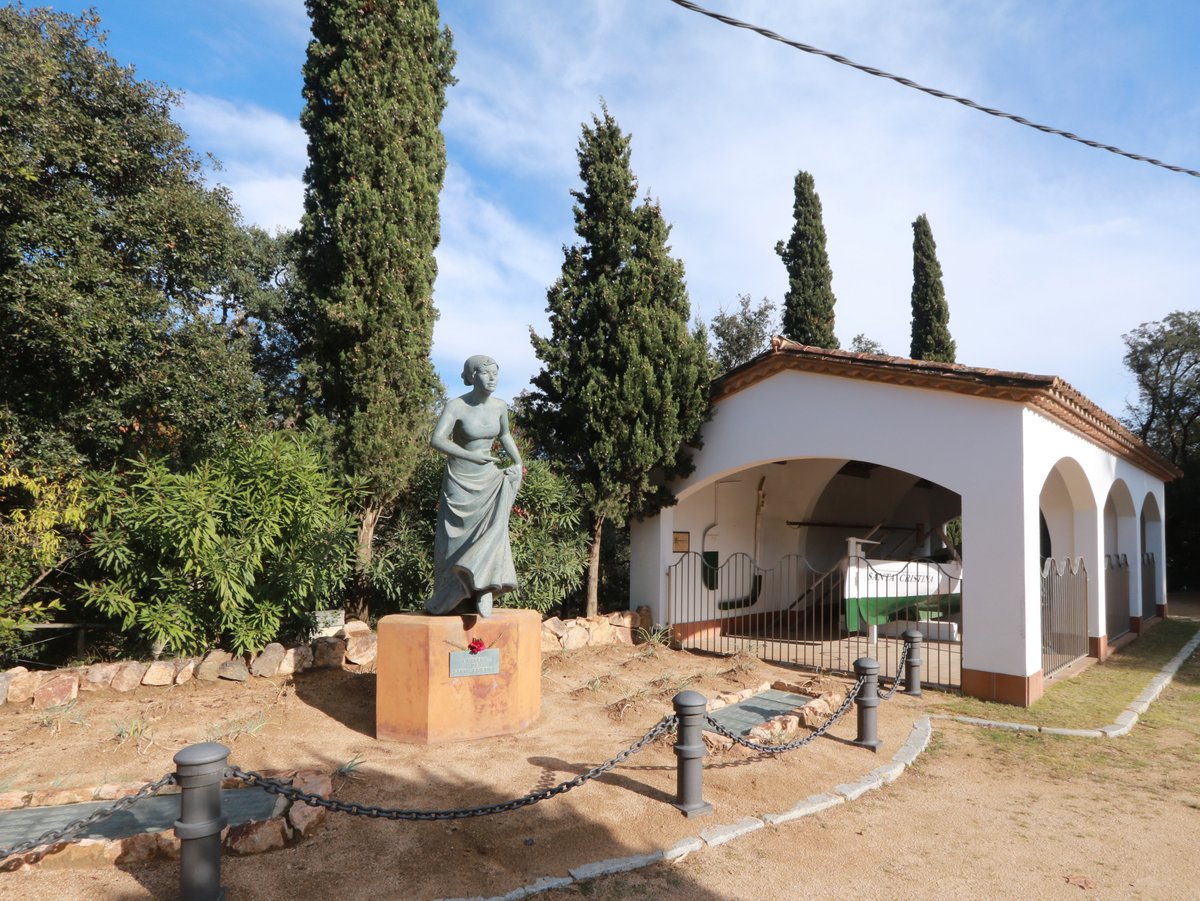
(982, 814)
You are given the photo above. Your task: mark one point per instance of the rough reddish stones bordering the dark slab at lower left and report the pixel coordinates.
(291, 822)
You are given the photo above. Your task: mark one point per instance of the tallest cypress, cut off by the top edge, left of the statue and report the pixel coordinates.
(375, 89)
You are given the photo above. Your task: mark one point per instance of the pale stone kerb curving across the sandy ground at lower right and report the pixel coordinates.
(916, 744)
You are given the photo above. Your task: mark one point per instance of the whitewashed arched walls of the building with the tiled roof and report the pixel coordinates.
(998, 455)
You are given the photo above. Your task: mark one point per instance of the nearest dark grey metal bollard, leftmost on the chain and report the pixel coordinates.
(200, 771)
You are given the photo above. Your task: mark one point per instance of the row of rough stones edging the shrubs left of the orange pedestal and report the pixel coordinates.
(353, 647)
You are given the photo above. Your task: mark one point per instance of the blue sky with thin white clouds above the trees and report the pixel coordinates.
(1052, 251)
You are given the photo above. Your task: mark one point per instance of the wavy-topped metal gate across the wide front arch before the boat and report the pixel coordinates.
(799, 615)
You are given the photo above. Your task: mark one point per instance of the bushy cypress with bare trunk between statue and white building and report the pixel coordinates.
(625, 385)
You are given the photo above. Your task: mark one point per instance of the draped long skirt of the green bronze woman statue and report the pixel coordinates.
(471, 549)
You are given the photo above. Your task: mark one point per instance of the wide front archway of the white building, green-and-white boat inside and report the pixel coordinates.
(818, 562)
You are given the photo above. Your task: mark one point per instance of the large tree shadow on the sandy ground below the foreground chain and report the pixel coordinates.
(479, 857)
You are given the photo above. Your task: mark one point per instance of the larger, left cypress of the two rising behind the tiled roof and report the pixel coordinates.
(808, 305)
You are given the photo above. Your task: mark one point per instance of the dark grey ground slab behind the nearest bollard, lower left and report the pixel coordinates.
(148, 815)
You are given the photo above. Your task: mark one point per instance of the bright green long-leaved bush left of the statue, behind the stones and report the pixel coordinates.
(226, 551)
